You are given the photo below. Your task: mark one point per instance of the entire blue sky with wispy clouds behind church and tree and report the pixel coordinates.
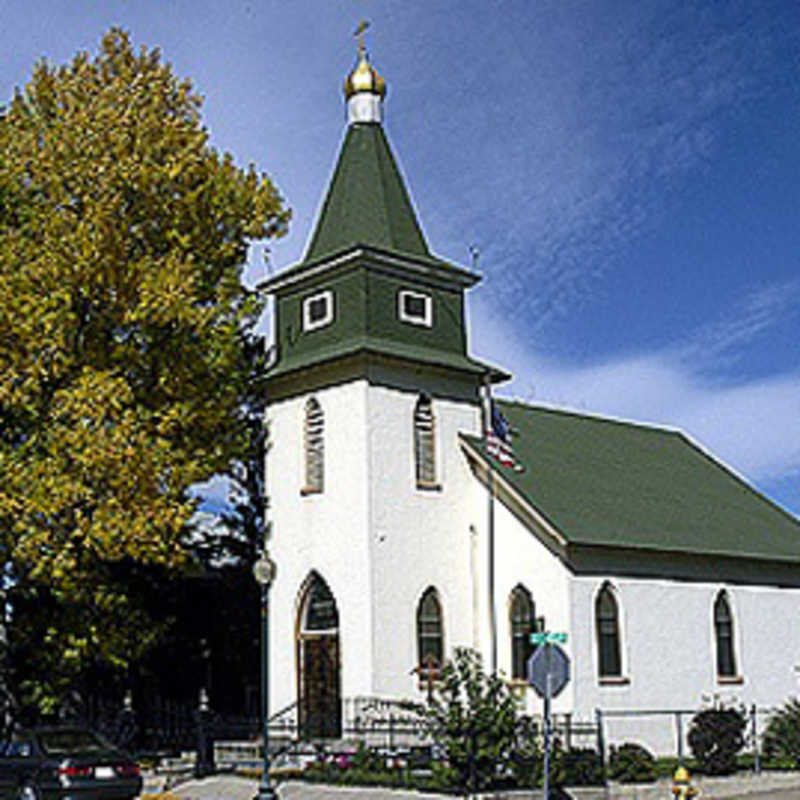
(629, 170)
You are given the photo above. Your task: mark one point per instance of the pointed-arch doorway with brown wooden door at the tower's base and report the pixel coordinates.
(319, 705)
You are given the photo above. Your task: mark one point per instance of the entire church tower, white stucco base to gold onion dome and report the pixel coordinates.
(371, 384)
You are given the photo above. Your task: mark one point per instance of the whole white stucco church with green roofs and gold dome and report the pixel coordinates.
(398, 536)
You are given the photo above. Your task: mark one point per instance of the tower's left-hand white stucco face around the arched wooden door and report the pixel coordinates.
(326, 532)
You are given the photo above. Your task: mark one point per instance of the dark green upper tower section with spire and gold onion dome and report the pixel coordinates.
(366, 265)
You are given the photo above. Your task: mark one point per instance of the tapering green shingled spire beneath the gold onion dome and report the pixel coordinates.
(367, 202)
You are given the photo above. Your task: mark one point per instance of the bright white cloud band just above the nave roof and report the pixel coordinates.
(752, 425)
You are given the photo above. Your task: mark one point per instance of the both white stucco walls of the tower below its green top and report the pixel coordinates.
(376, 539)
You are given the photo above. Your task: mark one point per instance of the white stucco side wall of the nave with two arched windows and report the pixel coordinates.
(669, 652)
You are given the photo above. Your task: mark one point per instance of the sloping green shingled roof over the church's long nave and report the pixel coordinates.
(604, 482)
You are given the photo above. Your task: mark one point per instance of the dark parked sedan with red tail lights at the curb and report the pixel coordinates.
(63, 763)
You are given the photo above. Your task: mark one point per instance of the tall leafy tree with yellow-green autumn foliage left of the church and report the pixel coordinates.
(125, 335)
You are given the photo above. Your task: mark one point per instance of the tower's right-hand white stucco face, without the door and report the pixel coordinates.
(419, 537)
